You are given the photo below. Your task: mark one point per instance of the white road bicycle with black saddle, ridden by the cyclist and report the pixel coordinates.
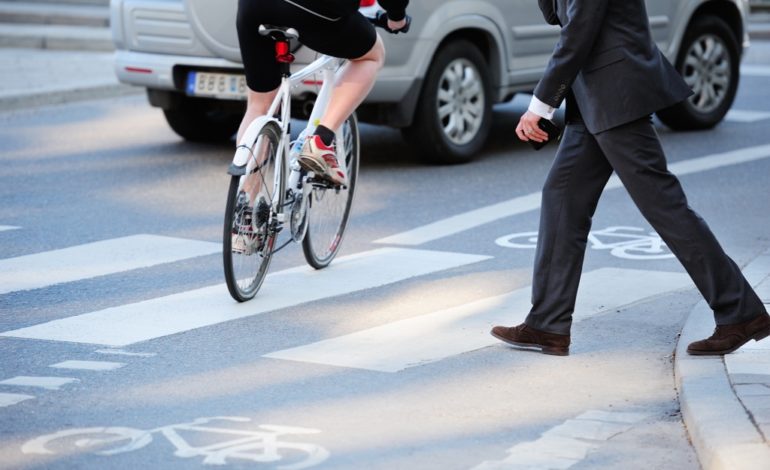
(265, 163)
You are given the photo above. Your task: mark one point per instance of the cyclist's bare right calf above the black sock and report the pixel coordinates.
(353, 85)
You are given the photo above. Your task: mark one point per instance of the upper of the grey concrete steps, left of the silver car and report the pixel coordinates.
(54, 13)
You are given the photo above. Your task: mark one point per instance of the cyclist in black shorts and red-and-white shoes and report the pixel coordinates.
(332, 27)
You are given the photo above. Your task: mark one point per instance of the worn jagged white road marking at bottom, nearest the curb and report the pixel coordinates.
(567, 444)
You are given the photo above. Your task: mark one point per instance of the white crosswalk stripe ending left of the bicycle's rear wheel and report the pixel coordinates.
(97, 259)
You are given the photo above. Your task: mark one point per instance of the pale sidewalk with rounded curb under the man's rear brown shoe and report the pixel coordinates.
(725, 401)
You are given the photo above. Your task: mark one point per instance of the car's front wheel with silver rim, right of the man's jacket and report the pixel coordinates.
(709, 61)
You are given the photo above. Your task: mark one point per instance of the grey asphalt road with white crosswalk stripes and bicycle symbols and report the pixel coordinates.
(109, 247)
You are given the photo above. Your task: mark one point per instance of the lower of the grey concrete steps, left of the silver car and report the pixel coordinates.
(85, 38)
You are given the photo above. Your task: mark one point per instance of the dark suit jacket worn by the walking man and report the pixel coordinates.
(607, 57)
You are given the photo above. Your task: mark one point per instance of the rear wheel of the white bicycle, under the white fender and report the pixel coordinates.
(251, 226)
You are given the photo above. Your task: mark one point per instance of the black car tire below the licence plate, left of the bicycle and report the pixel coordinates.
(197, 122)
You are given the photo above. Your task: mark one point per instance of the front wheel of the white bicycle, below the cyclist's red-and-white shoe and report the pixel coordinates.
(329, 207)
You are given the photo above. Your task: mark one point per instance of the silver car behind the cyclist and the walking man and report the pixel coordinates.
(439, 81)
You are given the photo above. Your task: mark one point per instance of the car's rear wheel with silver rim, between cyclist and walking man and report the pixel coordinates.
(453, 115)
